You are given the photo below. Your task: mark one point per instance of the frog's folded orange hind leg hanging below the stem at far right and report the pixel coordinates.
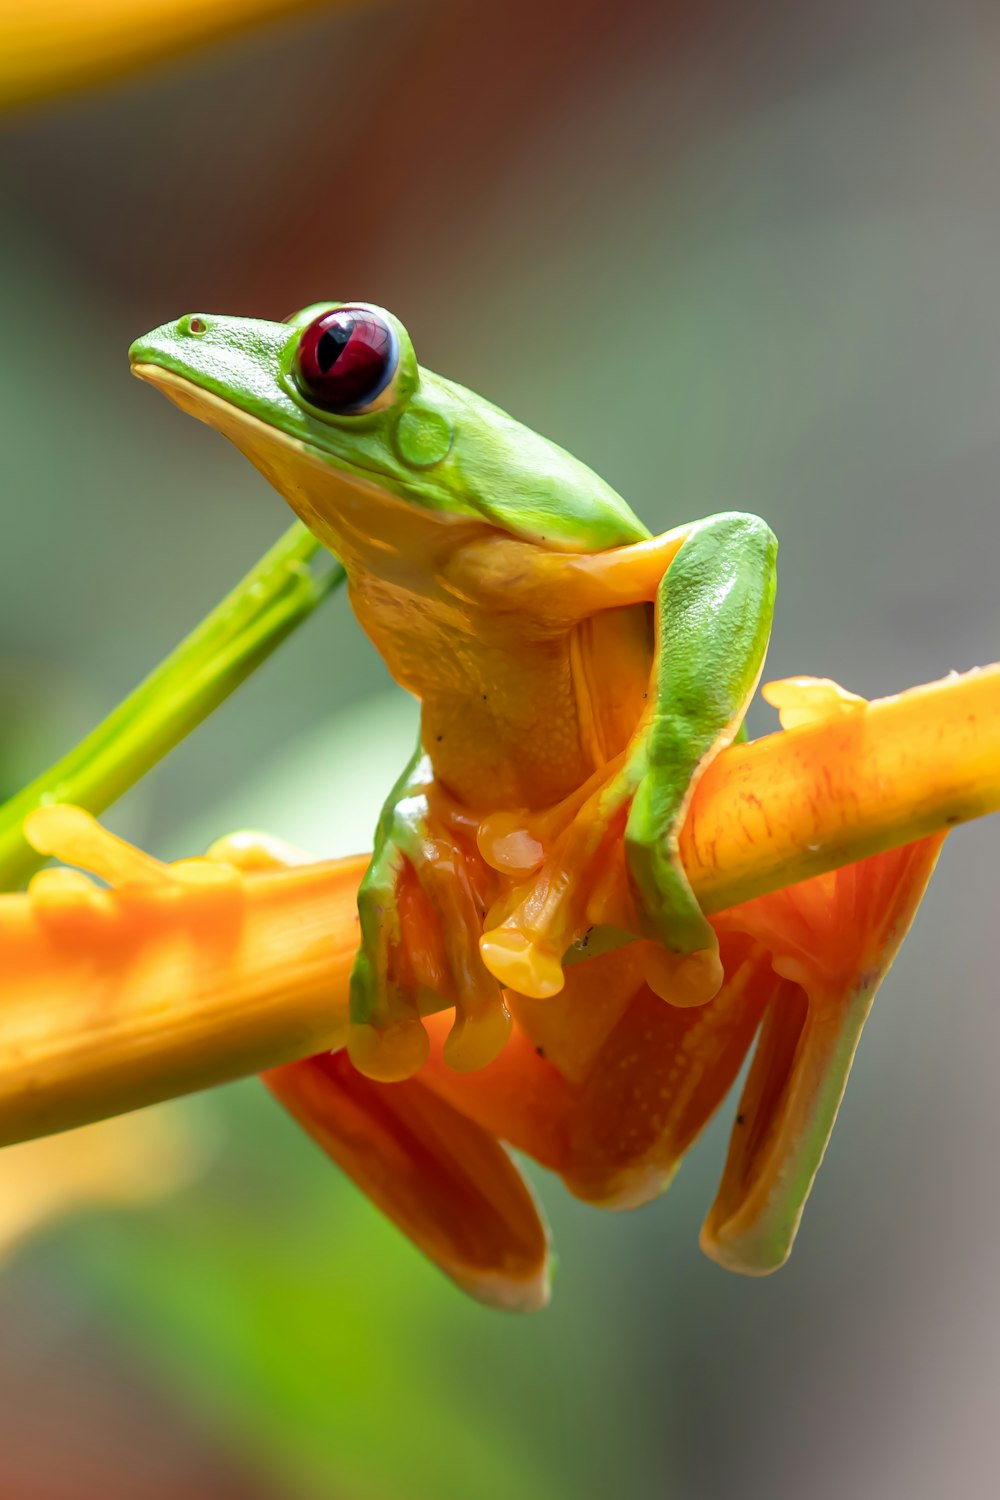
(833, 941)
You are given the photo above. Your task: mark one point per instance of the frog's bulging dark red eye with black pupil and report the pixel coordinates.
(346, 359)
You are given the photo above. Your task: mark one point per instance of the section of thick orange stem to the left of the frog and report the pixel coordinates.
(154, 992)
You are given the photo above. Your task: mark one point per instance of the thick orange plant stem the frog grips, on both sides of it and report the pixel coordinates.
(140, 995)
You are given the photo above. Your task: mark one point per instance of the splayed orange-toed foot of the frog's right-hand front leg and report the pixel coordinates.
(599, 871)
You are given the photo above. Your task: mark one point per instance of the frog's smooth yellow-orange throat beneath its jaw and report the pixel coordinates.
(349, 509)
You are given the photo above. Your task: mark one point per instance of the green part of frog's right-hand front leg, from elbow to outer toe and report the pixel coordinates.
(714, 611)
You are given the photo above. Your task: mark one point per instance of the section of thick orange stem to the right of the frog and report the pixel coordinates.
(795, 805)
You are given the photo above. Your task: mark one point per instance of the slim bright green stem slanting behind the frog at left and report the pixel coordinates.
(266, 607)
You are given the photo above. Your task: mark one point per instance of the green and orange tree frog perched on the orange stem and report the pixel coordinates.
(576, 677)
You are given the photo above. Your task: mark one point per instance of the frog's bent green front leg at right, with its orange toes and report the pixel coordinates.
(714, 605)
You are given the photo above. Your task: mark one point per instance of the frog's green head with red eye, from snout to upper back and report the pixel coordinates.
(335, 410)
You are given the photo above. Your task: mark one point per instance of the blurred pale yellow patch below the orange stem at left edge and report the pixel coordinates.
(136, 1159)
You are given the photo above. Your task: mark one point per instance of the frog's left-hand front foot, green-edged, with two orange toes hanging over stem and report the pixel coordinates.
(422, 907)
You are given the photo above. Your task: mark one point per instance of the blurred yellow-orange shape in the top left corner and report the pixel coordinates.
(67, 44)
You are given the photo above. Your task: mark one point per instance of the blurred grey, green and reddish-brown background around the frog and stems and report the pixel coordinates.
(731, 256)
